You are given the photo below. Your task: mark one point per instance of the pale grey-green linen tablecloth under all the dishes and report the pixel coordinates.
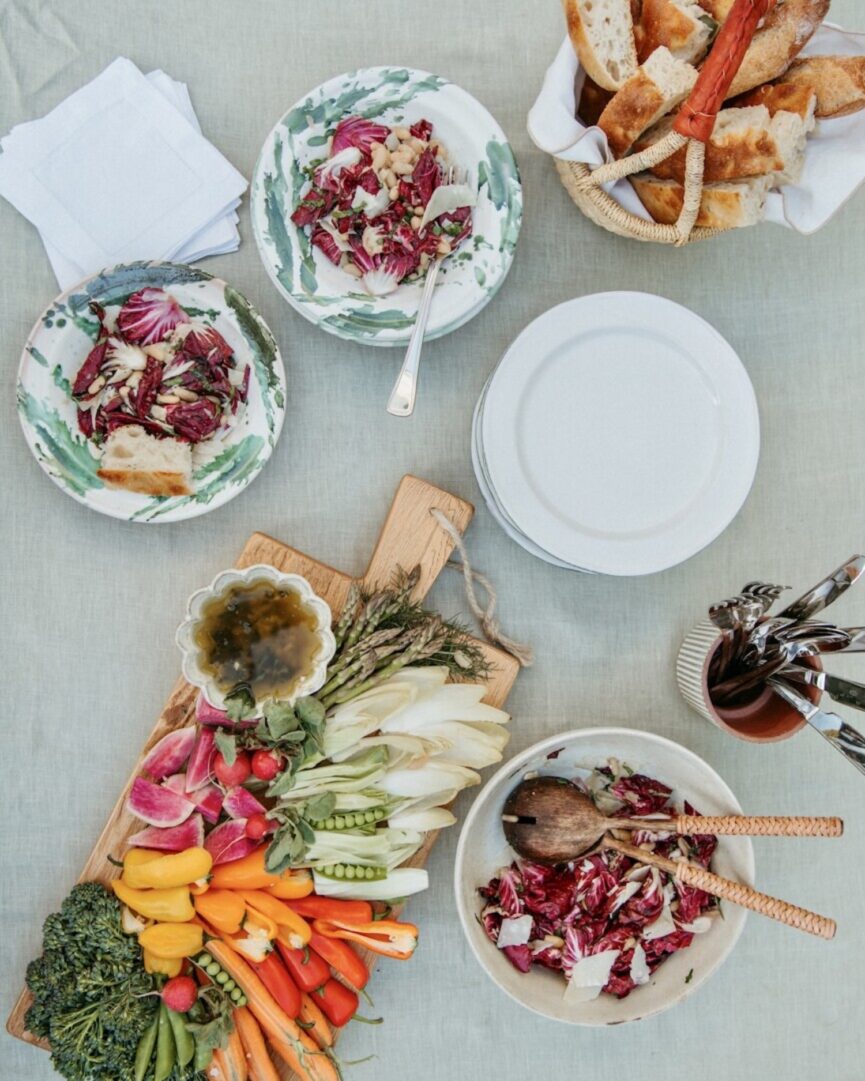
(90, 605)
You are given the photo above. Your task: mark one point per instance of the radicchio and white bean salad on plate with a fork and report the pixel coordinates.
(382, 205)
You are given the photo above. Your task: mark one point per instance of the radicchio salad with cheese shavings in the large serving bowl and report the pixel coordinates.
(604, 922)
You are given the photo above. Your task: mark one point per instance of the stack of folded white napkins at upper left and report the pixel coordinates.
(119, 172)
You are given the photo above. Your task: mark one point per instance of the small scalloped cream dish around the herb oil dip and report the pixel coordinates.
(193, 664)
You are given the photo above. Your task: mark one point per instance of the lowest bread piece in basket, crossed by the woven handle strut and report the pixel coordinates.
(728, 206)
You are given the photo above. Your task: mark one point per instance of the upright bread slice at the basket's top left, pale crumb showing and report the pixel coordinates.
(602, 33)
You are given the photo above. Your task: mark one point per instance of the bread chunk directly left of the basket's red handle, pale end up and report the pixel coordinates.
(659, 86)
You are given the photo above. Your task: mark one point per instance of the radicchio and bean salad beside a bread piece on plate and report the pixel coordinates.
(161, 370)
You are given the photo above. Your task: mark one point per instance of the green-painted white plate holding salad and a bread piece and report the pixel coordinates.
(57, 348)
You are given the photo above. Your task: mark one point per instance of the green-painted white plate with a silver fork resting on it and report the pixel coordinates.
(323, 292)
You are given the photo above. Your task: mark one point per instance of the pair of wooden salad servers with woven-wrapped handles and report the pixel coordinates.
(550, 821)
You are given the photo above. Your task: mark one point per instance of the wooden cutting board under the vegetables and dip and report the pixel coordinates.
(410, 537)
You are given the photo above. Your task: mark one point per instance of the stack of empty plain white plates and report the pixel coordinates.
(619, 435)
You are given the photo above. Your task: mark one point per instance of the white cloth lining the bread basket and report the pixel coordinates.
(835, 157)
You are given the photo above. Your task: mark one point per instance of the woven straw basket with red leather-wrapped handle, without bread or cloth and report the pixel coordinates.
(693, 129)
